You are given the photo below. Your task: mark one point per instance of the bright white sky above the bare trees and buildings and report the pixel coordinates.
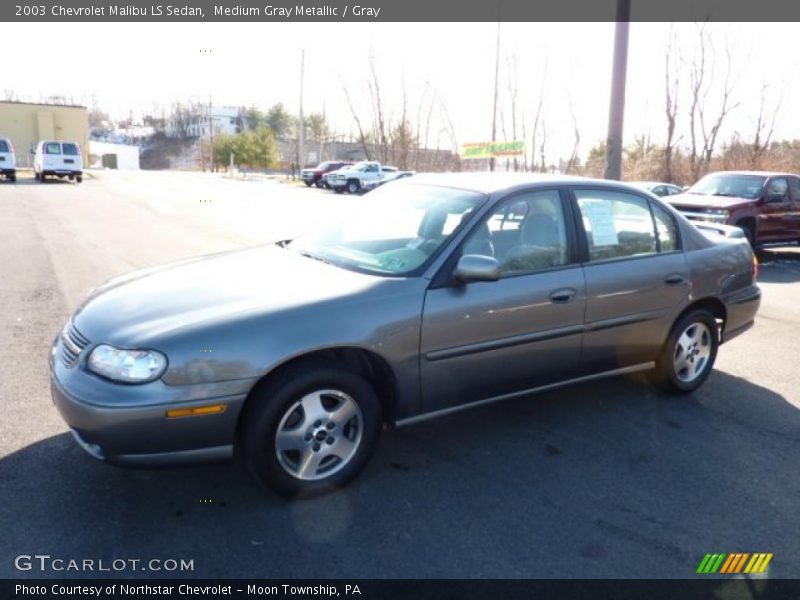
(134, 66)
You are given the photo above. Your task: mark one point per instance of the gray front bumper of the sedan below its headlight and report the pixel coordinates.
(128, 424)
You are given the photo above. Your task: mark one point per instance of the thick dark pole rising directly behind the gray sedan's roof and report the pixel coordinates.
(616, 111)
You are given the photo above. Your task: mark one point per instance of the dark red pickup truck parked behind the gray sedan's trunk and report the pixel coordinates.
(765, 205)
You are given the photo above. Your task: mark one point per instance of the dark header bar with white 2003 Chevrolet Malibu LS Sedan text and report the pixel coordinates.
(370, 11)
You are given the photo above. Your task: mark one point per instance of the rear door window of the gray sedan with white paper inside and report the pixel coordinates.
(618, 225)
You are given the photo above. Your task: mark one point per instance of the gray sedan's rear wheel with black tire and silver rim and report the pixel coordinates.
(666, 375)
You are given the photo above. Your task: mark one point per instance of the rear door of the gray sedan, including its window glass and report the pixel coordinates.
(637, 279)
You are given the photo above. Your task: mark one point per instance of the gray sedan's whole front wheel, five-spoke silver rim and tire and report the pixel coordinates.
(311, 430)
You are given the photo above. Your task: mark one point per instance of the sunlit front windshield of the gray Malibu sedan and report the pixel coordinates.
(393, 230)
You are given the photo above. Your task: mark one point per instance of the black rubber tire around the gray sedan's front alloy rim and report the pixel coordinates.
(272, 403)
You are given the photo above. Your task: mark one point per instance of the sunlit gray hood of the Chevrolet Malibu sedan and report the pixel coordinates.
(152, 304)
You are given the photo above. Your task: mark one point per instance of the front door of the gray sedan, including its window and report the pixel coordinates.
(486, 340)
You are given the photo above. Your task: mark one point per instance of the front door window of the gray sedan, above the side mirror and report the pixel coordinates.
(525, 233)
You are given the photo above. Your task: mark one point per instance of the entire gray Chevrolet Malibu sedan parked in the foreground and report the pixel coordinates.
(428, 296)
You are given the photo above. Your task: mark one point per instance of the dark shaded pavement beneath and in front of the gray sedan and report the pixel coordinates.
(609, 479)
